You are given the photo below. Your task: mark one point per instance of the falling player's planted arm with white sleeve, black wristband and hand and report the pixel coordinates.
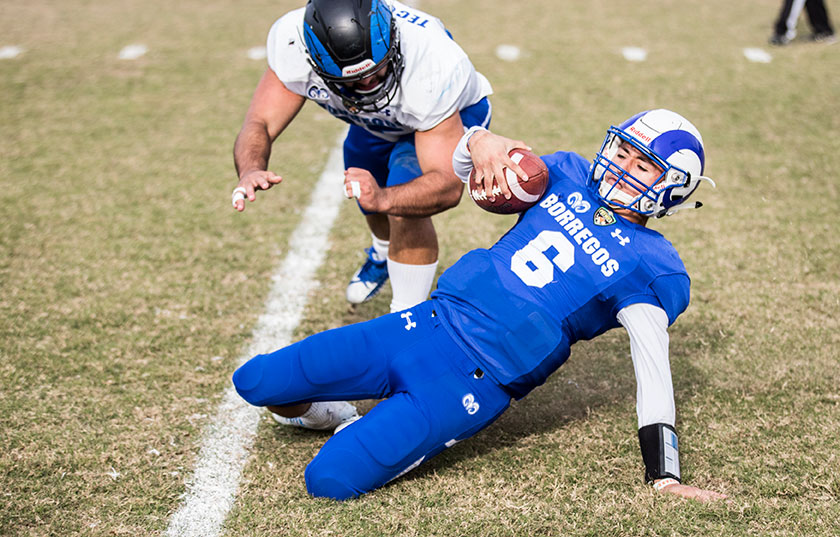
(647, 326)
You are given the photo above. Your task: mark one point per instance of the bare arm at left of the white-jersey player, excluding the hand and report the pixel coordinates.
(272, 108)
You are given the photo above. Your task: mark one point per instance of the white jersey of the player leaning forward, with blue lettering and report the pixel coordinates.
(438, 79)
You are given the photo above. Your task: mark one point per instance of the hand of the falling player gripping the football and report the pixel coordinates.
(489, 153)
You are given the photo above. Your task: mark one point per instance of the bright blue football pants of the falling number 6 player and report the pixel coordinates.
(435, 396)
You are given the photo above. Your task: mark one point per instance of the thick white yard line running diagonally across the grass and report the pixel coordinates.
(228, 436)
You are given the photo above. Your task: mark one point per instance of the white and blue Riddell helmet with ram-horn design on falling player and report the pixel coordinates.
(668, 140)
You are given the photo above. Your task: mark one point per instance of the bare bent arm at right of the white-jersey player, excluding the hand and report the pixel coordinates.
(438, 189)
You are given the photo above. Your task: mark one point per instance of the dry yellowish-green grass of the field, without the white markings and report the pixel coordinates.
(129, 287)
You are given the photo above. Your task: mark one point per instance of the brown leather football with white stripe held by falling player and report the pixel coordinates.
(524, 193)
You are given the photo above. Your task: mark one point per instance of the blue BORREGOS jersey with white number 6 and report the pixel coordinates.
(561, 274)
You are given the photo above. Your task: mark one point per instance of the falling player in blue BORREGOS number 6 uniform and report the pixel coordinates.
(578, 263)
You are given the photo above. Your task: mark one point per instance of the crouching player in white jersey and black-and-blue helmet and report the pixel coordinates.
(407, 90)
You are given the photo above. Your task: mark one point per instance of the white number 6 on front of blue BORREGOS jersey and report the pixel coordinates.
(534, 267)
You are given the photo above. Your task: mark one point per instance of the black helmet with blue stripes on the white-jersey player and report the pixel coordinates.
(348, 40)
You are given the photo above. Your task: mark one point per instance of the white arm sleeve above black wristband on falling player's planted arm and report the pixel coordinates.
(647, 326)
